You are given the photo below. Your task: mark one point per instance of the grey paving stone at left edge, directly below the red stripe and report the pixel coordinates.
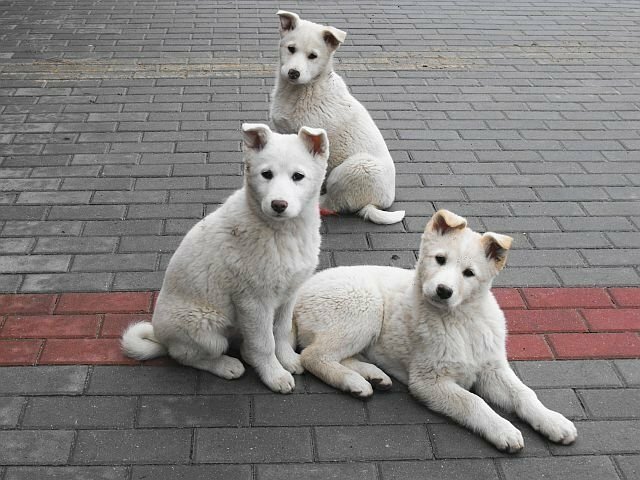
(59, 380)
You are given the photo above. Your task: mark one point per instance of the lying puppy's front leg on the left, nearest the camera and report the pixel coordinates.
(441, 394)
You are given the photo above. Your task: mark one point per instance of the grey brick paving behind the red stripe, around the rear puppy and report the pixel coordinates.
(119, 129)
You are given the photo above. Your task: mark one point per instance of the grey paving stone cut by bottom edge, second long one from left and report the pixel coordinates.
(191, 472)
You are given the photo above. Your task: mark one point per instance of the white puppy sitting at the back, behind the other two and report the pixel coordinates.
(361, 173)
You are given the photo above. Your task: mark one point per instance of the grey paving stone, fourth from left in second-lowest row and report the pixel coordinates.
(381, 442)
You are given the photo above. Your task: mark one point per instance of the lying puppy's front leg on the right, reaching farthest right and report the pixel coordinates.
(501, 386)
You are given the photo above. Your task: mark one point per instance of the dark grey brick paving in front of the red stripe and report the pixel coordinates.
(65, 426)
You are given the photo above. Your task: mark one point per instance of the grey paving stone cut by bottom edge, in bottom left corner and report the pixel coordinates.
(66, 473)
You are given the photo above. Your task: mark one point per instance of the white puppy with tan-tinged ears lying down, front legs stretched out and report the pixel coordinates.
(437, 328)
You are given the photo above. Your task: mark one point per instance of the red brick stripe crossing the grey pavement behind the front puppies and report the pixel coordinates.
(544, 324)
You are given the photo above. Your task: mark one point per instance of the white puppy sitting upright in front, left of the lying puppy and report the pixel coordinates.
(238, 269)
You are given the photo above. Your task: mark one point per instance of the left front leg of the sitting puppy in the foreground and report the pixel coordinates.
(258, 346)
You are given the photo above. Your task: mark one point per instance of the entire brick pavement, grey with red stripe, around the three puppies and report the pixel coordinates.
(119, 129)
